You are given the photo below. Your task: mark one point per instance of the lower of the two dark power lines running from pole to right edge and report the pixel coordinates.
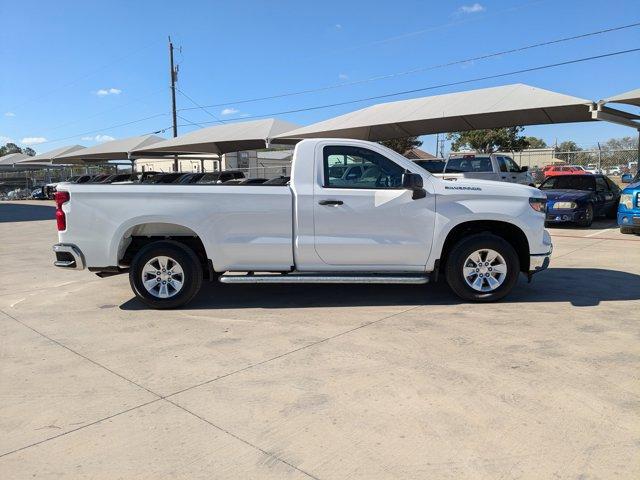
(449, 84)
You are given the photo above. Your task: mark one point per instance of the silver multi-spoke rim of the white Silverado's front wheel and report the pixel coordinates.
(484, 270)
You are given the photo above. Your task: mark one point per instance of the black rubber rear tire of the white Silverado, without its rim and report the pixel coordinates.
(177, 252)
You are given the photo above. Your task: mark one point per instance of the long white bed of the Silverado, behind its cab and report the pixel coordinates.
(250, 226)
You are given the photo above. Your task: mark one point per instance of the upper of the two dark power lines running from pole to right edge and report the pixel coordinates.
(418, 70)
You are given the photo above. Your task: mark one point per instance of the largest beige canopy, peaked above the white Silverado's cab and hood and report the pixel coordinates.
(494, 107)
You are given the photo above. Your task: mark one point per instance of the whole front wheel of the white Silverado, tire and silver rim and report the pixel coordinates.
(482, 268)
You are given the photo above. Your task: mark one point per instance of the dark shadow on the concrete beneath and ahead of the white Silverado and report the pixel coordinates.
(582, 287)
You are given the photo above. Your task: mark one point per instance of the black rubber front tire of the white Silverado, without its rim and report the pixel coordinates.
(455, 263)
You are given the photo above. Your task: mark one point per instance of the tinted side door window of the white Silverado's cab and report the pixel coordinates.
(355, 167)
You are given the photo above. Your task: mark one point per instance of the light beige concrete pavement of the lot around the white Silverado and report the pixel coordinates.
(322, 382)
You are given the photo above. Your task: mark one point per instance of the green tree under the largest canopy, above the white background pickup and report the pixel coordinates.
(488, 141)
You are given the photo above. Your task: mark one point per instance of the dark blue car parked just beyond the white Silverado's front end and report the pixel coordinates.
(578, 199)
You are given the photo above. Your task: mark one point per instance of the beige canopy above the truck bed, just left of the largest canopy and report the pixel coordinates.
(228, 137)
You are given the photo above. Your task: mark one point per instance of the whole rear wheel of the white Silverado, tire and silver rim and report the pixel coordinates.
(165, 274)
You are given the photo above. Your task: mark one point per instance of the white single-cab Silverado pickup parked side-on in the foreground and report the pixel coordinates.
(395, 223)
